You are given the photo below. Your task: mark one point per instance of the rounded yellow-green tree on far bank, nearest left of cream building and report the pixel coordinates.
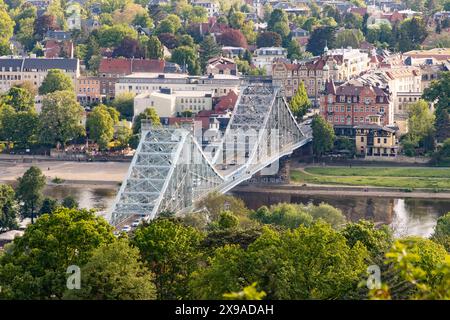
(100, 126)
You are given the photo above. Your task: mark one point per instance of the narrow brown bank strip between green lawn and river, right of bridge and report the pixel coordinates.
(329, 190)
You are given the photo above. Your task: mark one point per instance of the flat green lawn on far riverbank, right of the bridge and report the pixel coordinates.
(406, 178)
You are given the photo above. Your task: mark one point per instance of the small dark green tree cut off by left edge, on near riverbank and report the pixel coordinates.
(9, 208)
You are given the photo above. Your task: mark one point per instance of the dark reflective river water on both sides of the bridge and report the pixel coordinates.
(406, 216)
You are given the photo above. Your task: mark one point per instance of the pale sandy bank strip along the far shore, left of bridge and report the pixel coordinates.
(74, 172)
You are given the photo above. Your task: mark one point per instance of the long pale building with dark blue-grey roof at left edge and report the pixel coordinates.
(16, 70)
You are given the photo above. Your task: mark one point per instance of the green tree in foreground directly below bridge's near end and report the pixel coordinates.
(171, 251)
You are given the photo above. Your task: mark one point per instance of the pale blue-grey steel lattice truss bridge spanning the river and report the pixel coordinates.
(170, 170)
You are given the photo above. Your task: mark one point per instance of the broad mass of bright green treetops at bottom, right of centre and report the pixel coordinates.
(306, 263)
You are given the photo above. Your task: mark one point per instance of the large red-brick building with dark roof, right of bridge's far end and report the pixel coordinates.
(354, 103)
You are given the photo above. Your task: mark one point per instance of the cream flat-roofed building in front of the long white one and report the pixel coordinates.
(168, 103)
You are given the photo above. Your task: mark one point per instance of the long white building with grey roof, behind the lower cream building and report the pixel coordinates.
(137, 83)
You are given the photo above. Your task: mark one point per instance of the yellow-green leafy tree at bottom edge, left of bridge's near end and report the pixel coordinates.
(114, 272)
